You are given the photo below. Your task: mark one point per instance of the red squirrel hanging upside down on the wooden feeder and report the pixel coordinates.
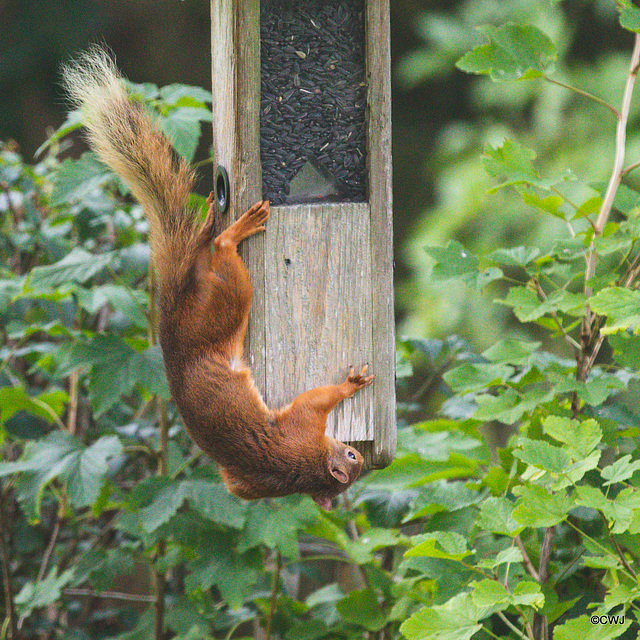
(204, 300)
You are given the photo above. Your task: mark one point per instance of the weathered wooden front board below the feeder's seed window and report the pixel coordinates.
(318, 306)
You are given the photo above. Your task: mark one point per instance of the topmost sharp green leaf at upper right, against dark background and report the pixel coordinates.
(514, 52)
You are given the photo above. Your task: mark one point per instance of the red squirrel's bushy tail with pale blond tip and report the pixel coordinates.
(127, 140)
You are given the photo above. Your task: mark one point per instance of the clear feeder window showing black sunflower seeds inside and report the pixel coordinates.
(313, 100)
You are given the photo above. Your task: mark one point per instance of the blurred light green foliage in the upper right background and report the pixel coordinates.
(565, 130)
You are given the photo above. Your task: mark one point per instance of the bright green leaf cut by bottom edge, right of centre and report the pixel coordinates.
(456, 619)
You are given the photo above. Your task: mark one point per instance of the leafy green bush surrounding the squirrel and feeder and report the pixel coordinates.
(114, 526)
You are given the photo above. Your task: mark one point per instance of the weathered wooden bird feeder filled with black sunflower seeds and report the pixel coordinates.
(302, 117)
